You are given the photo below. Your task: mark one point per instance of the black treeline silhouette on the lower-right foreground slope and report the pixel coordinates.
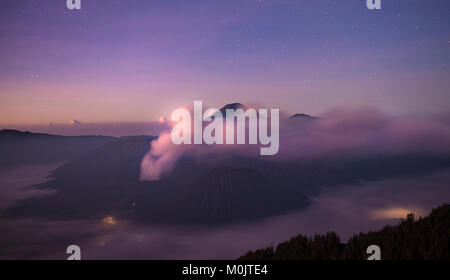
(424, 239)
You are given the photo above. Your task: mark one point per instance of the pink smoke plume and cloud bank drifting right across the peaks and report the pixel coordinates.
(341, 132)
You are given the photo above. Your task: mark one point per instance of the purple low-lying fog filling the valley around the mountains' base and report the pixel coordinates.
(347, 211)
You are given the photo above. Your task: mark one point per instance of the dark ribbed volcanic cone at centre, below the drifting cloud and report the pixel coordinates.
(231, 194)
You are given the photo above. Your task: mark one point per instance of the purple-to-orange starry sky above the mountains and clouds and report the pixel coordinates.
(137, 60)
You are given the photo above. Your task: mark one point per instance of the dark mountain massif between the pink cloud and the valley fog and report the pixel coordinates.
(102, 178)
